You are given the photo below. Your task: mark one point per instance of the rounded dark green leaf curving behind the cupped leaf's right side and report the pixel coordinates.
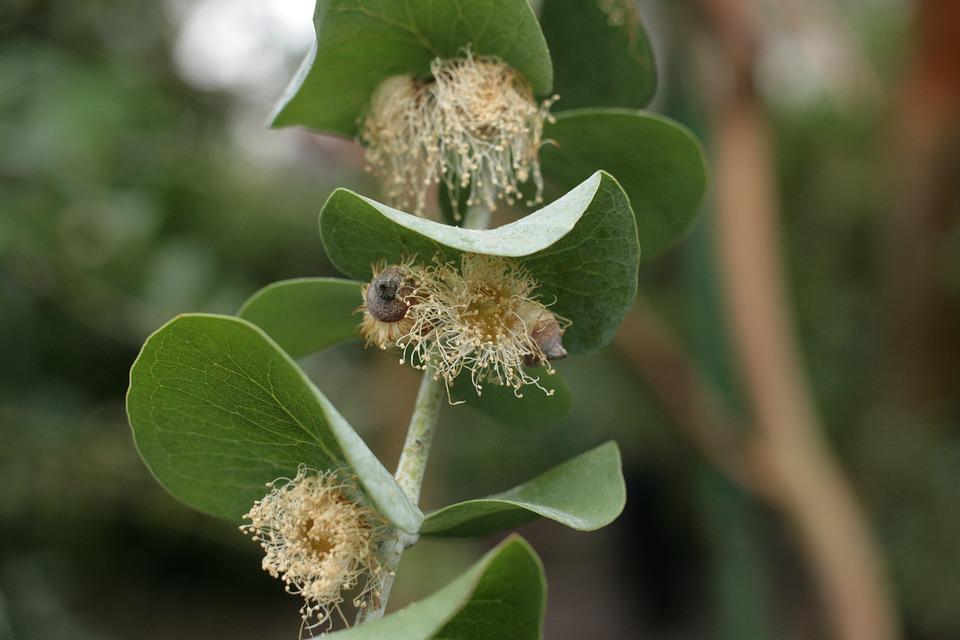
(659, 163)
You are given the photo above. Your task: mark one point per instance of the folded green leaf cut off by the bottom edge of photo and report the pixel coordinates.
(502, 596)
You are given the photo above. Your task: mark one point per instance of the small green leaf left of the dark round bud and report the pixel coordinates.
(306, 315)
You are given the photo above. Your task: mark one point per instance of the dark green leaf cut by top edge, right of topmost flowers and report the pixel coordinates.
(601, 57)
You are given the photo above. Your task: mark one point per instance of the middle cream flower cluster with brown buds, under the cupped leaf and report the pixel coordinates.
(483, 317)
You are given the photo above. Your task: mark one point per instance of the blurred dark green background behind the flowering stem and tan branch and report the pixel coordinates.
(137, 182)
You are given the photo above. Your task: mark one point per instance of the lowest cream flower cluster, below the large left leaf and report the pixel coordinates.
(320, 539)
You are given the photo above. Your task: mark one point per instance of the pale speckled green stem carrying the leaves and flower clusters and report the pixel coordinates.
(413, 461)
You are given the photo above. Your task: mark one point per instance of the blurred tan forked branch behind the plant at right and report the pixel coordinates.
(800, 477)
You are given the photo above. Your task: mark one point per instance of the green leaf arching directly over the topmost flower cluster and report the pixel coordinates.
(361, 42)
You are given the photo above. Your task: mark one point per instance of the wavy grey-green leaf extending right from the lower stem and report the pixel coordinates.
(585, 493)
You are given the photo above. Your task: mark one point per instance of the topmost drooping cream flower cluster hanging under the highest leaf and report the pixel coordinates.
(474, 124)
